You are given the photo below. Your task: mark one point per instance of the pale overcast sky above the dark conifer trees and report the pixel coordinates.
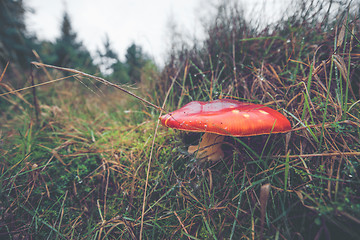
(143, 22)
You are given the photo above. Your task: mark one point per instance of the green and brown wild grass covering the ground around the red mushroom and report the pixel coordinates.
(90, 162)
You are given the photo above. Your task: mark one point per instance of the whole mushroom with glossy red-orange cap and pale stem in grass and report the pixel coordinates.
(224, 117)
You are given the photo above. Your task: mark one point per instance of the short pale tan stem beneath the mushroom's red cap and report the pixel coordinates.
(209, 148)
